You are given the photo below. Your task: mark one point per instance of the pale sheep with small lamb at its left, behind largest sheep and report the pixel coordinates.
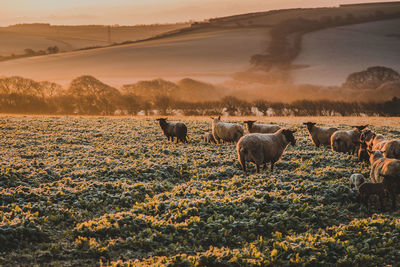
(224, 131)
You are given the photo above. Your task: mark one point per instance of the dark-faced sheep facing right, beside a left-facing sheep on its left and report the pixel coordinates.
(346, 141)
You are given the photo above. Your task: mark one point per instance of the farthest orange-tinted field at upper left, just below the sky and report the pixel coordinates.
(14, 39)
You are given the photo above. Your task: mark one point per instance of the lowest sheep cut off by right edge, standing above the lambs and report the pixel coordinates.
(386, 171)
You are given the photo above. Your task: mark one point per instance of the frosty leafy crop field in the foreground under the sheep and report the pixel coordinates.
(103, 190)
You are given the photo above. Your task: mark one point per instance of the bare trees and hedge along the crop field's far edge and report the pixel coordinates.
(88, 96)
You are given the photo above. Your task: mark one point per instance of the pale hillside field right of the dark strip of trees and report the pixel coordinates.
(356, 48)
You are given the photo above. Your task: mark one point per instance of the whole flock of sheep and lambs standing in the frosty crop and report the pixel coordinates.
(265, 143)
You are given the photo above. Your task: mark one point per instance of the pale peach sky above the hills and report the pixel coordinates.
(131, 12)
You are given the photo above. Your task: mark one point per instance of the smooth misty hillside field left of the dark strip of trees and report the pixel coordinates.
(206, 55)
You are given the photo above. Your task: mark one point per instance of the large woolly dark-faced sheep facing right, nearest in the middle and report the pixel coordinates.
(263, 148)
